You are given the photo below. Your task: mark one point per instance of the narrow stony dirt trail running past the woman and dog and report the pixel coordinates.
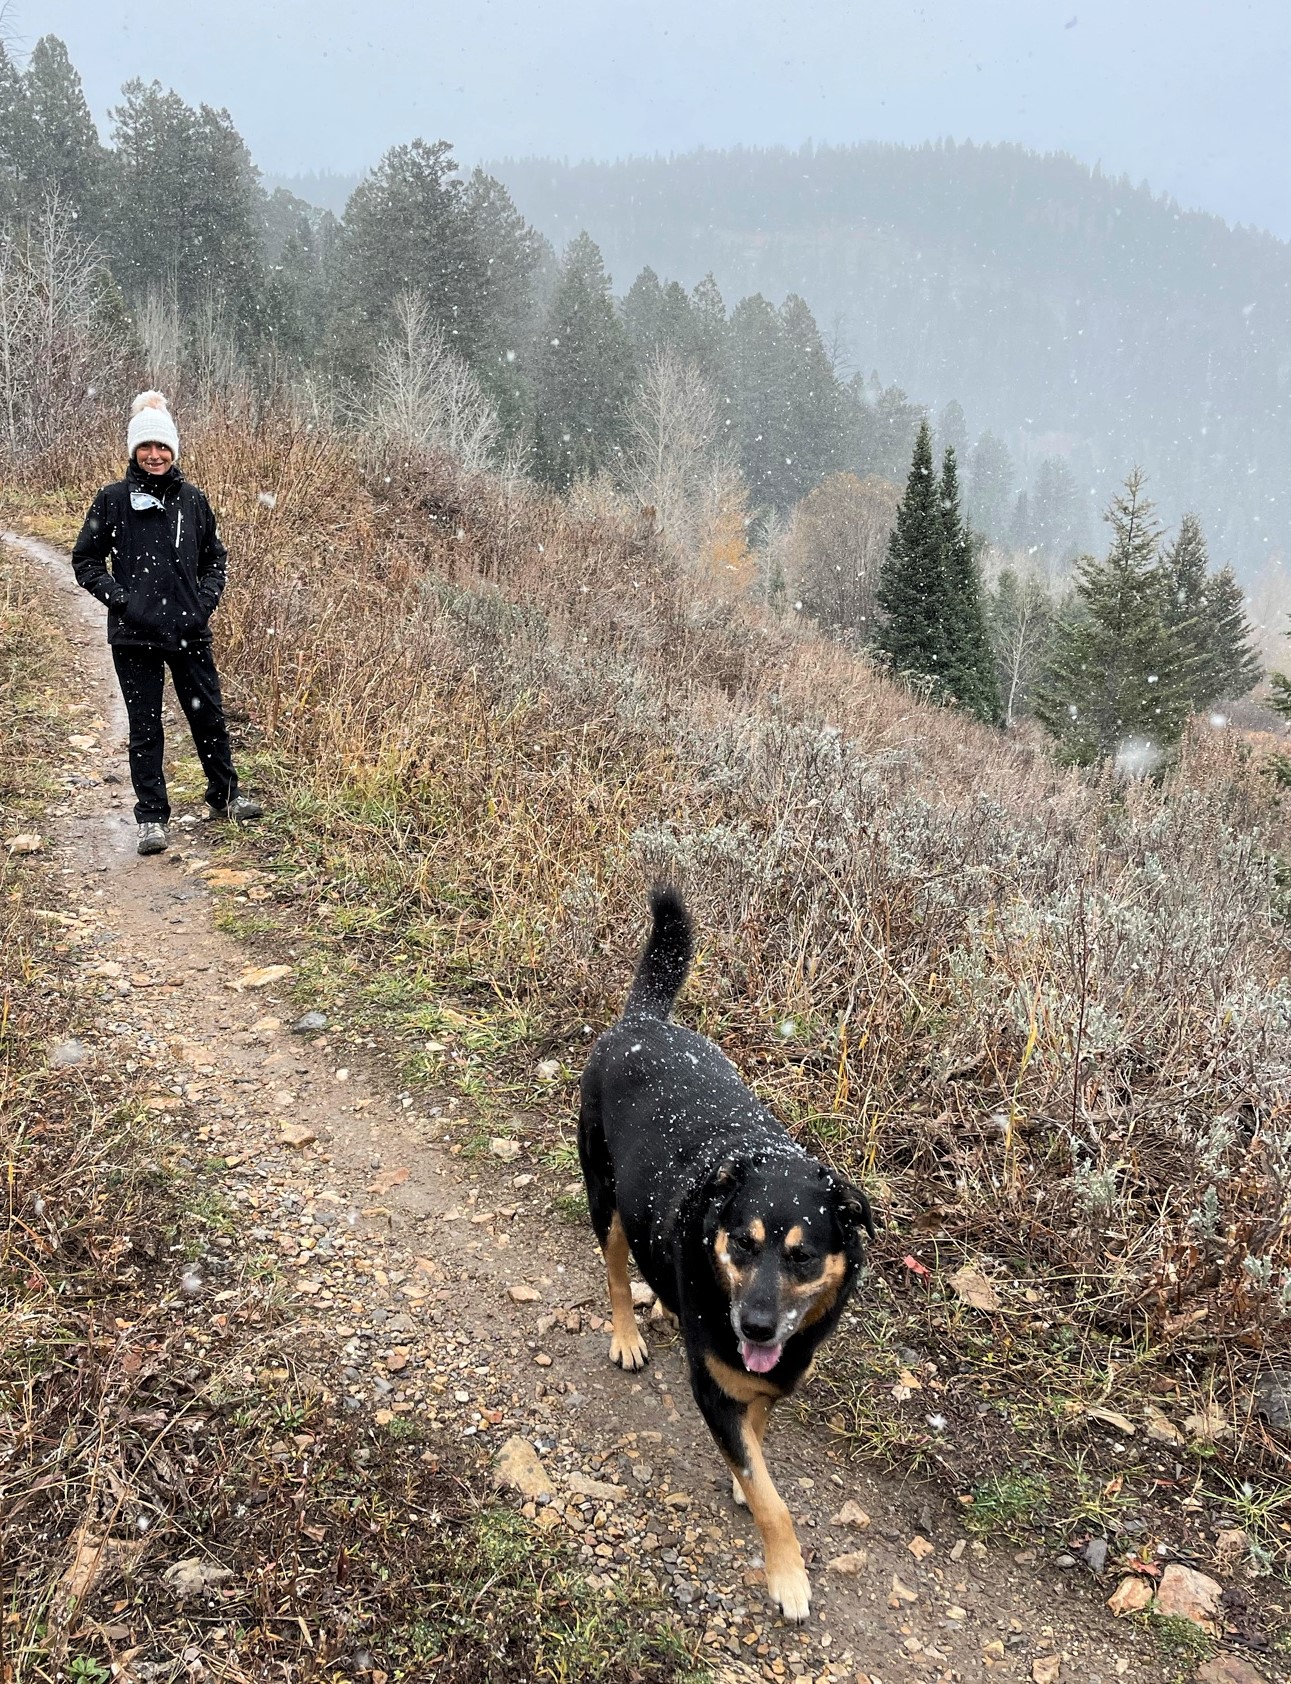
(452, 1296)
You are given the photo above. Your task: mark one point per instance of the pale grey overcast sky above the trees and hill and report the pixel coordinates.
(1191, 95)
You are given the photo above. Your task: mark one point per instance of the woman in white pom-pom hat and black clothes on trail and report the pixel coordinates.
(166, 582)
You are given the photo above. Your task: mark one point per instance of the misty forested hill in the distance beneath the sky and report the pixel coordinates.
(1071, 314)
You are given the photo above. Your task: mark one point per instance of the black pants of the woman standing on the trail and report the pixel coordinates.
(142, 676)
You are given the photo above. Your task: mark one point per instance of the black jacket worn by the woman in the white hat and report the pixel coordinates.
(167, 562)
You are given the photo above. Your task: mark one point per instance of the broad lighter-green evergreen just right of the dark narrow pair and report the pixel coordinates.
(1117, 681)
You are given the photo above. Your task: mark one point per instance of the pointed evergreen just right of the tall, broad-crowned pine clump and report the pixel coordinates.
(583, 375)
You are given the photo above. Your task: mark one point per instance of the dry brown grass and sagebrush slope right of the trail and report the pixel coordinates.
(1043, 1016)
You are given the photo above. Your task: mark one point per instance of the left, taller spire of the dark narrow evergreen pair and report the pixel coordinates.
(913, 580)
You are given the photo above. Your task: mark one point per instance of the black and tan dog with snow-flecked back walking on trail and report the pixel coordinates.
(752, 1244)
